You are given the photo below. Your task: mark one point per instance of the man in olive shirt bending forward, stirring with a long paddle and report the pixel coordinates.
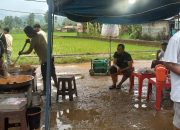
(39, 44)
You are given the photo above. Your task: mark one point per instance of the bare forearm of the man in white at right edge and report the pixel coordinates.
(173, 67)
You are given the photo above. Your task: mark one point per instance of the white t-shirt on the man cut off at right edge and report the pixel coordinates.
(172, 54)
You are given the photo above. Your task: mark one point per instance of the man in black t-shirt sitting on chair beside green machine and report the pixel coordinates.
(122, 64)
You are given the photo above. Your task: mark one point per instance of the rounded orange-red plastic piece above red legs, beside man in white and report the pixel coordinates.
(161, 72)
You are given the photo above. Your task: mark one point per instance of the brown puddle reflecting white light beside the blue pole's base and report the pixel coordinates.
(69, 116)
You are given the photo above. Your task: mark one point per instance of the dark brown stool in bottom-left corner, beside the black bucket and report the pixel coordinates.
(5, 114)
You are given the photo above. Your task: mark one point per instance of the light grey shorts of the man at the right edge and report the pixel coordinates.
(176, 119)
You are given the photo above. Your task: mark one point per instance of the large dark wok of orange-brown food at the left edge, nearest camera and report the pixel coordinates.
(15, 82)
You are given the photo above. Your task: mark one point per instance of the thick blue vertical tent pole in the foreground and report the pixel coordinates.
(48, 76)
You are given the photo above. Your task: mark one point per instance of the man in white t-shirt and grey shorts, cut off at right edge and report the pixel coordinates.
(172, 62)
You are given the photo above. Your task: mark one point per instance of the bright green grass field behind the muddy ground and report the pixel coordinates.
(66, 46)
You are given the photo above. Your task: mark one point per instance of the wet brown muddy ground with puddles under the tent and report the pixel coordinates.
(98, 108)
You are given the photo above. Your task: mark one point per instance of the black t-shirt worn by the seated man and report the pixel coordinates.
(122, 59)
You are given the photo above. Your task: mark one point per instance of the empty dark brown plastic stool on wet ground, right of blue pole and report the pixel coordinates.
(65, 87)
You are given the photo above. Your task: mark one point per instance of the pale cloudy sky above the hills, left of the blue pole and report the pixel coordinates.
(22, 6)
